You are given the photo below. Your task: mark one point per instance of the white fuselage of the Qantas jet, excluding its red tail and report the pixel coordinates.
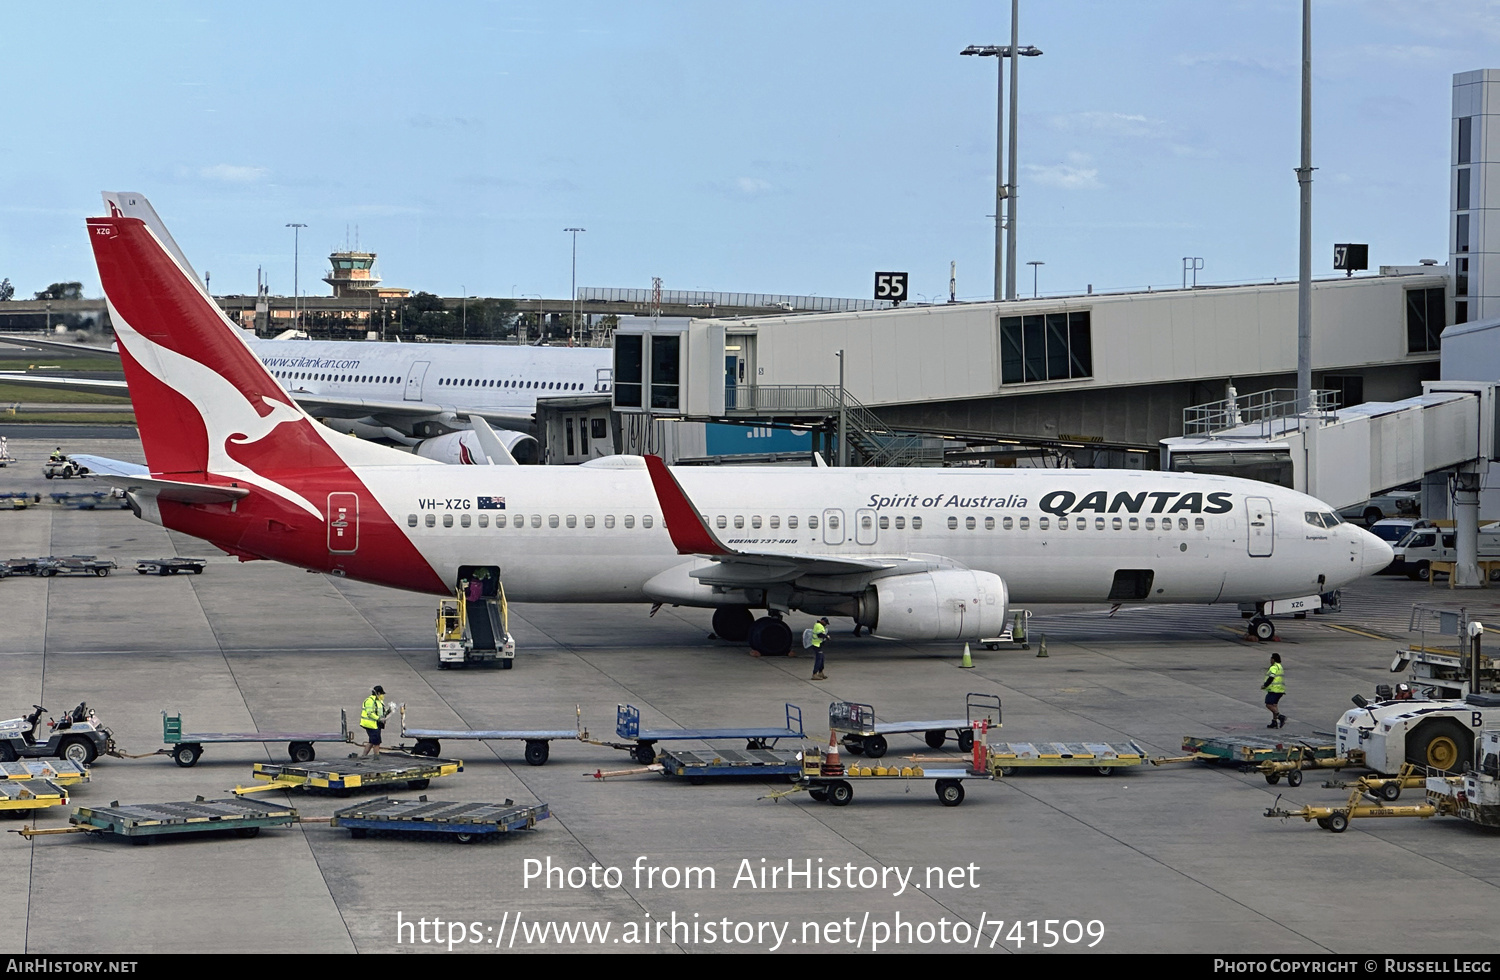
(596, 534)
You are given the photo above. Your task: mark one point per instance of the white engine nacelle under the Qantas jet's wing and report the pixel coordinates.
(949, 604)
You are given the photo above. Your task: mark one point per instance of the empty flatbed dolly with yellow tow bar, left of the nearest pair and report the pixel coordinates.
(143, 822)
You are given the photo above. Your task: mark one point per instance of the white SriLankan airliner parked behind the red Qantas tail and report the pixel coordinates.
(419, 395)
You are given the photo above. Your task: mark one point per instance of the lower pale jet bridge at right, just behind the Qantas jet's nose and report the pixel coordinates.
(1348, 455)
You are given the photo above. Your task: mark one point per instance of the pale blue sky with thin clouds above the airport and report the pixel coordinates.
(758, 146)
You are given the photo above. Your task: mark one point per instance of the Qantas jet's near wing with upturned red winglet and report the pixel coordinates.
(742, 568)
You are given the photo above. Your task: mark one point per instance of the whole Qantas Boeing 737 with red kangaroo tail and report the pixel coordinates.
(911, 555)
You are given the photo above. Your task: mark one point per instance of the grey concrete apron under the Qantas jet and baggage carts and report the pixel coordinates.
(1171, 859)
